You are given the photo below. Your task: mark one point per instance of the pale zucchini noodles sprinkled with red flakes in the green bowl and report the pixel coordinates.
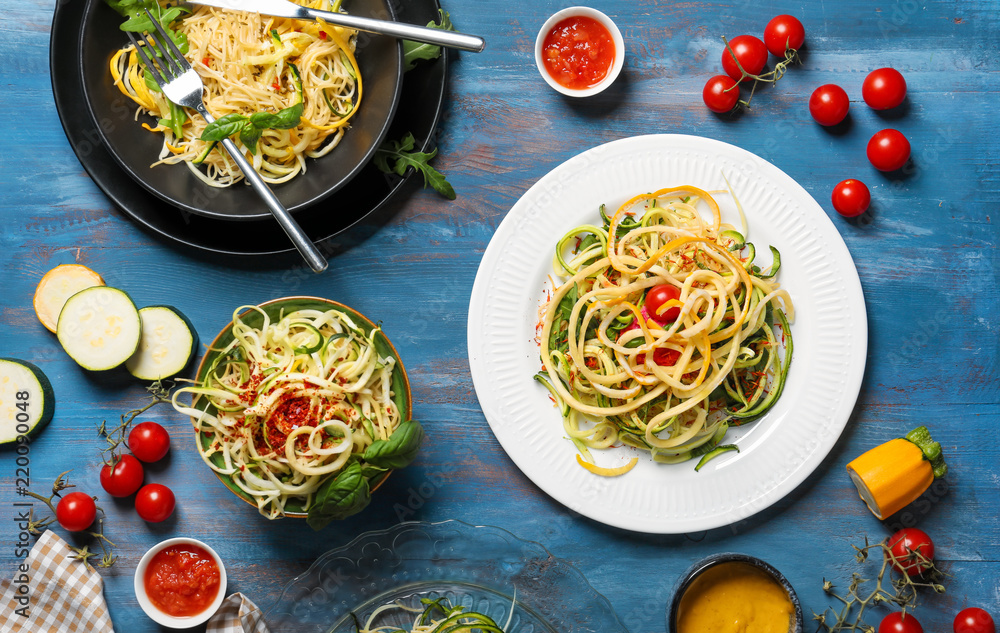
(285, 406)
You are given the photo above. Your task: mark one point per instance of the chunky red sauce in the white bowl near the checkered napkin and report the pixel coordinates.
(182, 580)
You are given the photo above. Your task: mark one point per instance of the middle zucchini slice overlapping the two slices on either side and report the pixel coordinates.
(99, 328)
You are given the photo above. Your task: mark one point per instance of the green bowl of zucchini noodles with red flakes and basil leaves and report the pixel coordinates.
(301, 407)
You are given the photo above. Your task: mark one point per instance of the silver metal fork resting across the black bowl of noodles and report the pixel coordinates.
(182, 85)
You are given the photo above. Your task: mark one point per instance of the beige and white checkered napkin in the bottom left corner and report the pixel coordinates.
(53, 593)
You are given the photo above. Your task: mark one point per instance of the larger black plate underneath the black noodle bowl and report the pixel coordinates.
(423, 93)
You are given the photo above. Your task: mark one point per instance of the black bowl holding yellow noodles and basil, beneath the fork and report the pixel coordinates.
(325, 74)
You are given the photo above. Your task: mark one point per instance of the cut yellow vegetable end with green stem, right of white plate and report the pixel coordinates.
(893, 475)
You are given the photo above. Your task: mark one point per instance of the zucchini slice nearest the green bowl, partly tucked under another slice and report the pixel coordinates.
(168, 344)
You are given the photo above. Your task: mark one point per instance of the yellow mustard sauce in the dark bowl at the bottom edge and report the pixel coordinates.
(734, 598)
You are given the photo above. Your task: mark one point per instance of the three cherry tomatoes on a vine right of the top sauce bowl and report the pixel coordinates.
(745, 57)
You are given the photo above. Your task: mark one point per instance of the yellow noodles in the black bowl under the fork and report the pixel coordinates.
(251, 63)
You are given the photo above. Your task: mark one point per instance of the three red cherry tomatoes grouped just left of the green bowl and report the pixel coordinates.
(123, 477)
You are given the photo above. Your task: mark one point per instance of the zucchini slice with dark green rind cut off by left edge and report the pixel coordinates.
(26, 400)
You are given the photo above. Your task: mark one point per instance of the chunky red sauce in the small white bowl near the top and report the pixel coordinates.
(578, 52)
